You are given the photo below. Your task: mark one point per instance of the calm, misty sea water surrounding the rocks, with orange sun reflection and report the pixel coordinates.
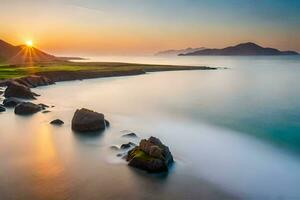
(234, 133)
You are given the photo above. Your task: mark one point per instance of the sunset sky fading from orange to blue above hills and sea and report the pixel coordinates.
(73, 27)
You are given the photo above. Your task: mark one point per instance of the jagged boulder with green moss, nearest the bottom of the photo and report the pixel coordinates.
(151, 155)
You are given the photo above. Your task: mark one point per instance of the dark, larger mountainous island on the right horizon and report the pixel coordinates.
(244, 49)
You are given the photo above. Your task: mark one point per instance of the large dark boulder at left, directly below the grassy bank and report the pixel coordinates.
(15, 89)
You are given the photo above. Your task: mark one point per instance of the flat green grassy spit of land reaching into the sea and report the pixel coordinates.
(65, 71)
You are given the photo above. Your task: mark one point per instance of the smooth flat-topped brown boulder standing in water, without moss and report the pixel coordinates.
(85, 120)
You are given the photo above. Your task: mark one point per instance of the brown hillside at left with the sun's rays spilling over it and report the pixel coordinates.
(22, 54)
